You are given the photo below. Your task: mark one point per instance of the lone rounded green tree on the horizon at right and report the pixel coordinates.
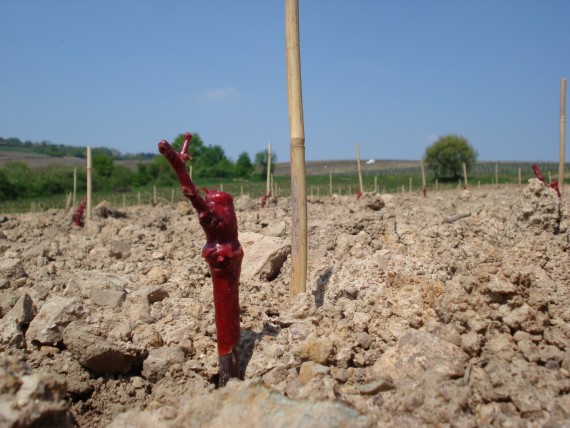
(446, 156)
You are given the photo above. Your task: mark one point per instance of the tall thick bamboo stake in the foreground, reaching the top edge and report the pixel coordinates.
(297, 137)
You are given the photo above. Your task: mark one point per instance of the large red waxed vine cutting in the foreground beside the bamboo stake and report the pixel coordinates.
(223, 253)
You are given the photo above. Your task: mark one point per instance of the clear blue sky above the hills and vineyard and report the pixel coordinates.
(389, 75)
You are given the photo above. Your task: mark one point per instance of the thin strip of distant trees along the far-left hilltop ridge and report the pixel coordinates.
(59, 150)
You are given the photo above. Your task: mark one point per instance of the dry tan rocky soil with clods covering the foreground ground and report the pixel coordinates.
(450, 310)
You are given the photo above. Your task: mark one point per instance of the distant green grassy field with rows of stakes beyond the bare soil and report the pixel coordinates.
(386, 176)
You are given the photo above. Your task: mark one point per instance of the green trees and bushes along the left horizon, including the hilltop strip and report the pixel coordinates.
(19, 181)
